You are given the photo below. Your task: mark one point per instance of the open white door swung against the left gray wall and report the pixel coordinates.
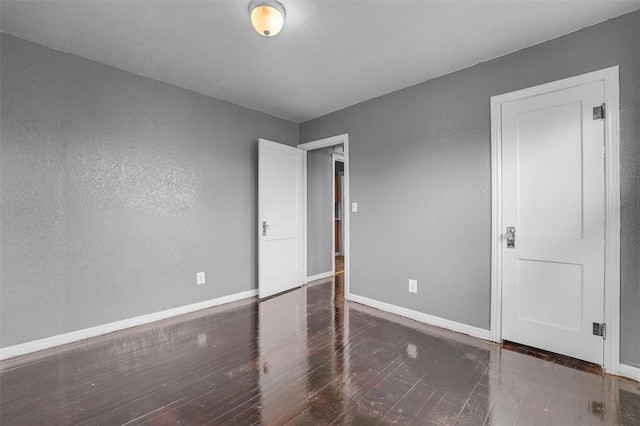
(280, 218)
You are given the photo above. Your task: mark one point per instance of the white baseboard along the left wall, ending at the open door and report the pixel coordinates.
(74, 336)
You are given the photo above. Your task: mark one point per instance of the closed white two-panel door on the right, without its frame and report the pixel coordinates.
(553, 195)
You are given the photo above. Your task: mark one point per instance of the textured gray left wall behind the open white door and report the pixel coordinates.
(116, 190)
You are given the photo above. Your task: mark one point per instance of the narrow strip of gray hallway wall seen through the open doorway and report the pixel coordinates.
(319, 211)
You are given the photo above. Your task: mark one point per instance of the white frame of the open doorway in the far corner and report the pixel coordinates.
(323, 143)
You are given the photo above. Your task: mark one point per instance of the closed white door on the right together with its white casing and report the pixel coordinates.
(563, 200)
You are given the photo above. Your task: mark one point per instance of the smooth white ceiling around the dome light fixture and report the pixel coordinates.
(330, 54)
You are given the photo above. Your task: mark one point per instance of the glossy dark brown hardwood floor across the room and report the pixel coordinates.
(304, 357)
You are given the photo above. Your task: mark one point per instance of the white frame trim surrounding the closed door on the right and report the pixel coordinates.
(610, 79)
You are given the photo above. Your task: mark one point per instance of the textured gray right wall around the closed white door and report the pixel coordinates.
(420, 172)
